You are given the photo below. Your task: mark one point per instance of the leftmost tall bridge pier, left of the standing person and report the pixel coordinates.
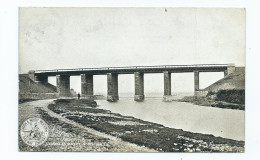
(63, 85)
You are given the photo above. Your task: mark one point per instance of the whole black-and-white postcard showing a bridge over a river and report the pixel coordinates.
(131, 79)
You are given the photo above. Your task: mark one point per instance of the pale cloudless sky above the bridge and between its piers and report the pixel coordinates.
(59, 38)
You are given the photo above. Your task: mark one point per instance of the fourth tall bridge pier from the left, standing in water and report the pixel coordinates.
(139, 86)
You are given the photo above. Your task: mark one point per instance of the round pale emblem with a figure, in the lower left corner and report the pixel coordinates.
(34, 132)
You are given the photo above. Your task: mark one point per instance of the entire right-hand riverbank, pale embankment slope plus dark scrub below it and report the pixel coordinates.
(228, 92)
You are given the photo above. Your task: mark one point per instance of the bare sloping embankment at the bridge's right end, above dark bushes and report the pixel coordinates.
(236, 80)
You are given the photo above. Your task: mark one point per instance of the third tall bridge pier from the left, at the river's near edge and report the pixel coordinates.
(112, 87)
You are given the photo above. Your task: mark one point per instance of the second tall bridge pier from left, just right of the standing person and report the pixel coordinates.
(87, 85)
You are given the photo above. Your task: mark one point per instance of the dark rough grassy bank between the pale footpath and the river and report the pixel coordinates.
(141, 132)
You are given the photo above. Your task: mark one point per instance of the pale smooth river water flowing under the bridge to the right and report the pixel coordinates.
(225, 123)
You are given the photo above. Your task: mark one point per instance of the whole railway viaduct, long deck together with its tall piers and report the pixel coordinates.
(63, 77)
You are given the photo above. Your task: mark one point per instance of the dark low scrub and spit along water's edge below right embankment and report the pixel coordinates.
(228, 99)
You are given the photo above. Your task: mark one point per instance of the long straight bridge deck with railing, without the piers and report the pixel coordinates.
(132, 69)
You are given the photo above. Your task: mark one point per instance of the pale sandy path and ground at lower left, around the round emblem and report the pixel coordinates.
(68, 136)
